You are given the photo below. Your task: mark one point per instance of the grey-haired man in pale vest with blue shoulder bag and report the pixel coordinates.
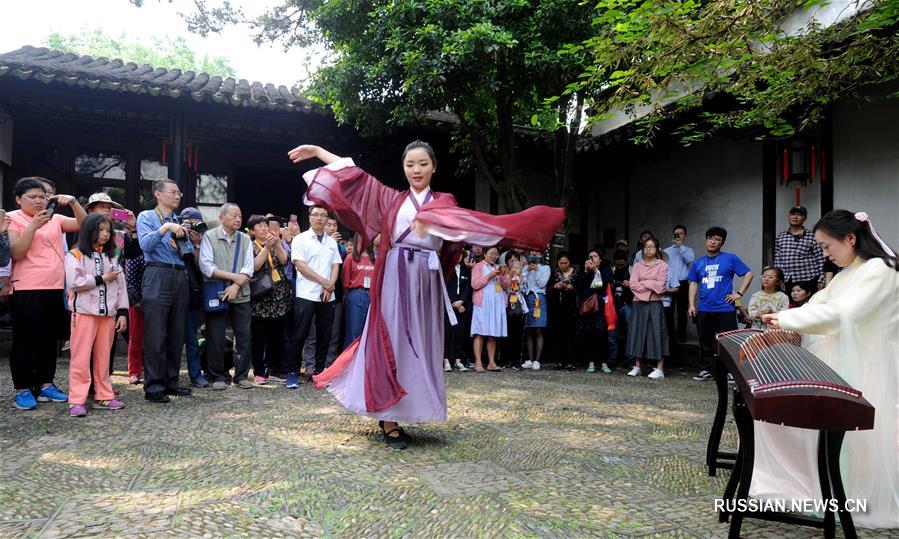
(226, 254)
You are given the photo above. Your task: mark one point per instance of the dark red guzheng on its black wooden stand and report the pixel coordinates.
(779, 382)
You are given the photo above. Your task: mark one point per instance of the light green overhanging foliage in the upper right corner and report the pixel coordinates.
(673, 55)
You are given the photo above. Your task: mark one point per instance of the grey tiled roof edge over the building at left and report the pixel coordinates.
(48, 66)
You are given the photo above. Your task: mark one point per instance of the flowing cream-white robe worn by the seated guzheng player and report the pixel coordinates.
(853, 326)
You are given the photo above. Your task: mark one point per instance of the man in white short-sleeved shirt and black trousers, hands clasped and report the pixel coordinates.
(316, 257)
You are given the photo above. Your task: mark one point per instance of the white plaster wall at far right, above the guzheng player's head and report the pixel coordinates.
(866, 162)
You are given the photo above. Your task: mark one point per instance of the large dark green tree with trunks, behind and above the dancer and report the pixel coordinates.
(485, 65)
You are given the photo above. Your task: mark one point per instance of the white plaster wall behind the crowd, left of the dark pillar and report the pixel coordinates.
(715, 183)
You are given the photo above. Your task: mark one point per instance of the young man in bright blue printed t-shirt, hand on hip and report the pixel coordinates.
(712, 277)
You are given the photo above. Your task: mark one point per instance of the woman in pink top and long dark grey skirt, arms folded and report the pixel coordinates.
(647, 334)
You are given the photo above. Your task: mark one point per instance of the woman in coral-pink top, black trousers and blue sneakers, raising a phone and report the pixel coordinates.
(38, 279)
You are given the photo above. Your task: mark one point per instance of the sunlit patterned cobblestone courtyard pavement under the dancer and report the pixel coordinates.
(532, 454)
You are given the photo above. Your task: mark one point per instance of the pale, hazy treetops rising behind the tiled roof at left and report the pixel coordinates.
(167, 52)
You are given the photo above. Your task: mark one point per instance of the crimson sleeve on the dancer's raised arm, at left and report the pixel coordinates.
(357, 198)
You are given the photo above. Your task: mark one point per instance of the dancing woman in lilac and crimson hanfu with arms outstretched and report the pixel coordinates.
(394, 371)
